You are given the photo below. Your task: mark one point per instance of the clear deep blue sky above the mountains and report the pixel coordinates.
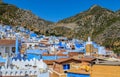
(55, 10)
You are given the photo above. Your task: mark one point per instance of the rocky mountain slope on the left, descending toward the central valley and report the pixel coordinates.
(11, 15)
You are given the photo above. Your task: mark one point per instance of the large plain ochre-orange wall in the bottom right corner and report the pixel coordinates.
(105, 71)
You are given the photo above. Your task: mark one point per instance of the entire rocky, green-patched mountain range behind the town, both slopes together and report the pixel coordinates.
(101, 24)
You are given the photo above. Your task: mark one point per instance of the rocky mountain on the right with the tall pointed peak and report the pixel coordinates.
(100, 23)
